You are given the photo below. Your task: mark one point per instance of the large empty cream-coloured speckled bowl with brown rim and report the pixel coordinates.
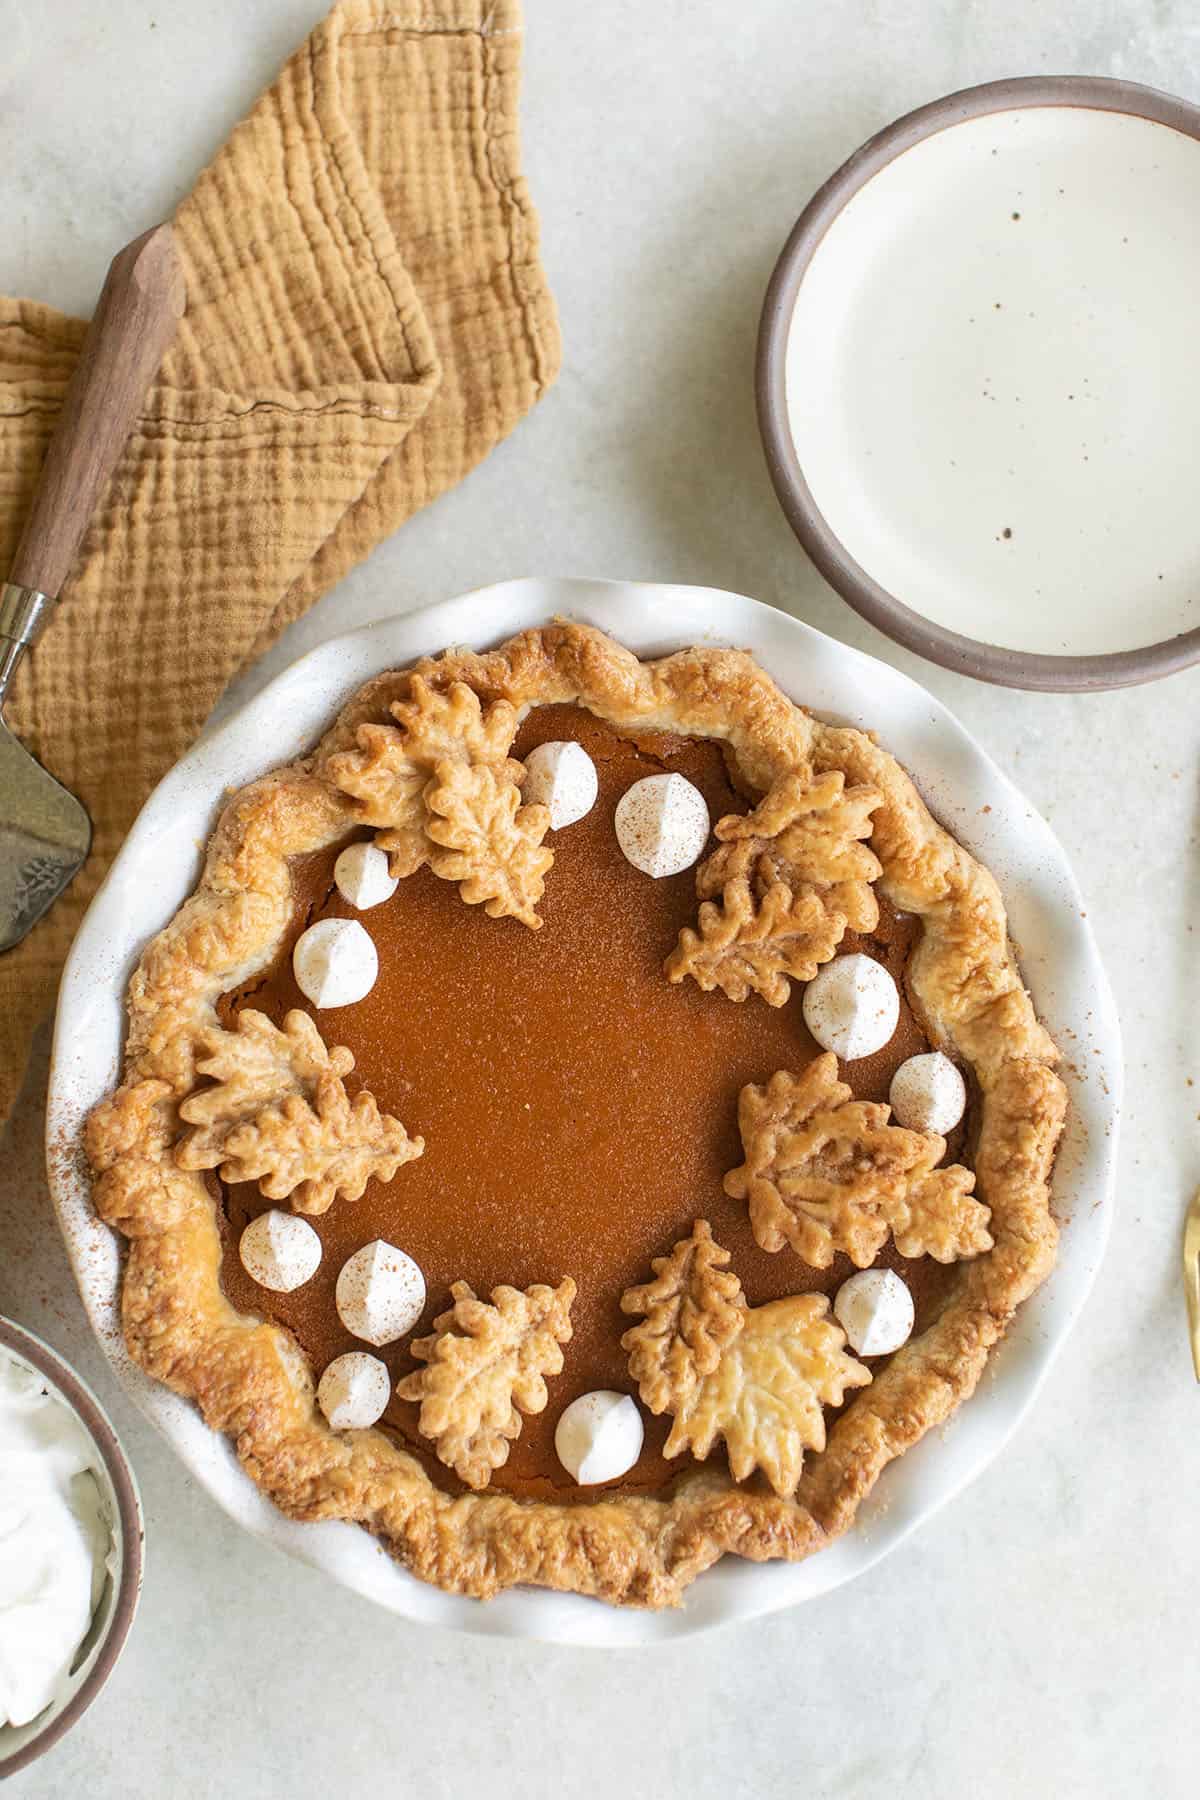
(978, 382)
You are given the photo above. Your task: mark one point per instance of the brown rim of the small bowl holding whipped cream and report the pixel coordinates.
(78, 1396)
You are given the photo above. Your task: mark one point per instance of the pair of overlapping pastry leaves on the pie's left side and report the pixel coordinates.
(276, 1111)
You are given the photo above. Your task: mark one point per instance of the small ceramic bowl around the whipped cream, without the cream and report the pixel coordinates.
(114, 1615)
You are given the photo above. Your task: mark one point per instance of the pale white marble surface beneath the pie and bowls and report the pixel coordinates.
(1043, 1637)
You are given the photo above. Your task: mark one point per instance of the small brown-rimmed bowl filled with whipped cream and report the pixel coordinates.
(71, 1547)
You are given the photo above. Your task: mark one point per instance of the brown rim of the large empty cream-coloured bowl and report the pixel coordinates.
(969, 656)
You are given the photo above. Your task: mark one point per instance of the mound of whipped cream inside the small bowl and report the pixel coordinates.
(55, 1542)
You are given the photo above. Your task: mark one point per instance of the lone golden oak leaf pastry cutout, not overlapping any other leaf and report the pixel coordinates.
(487, 1365)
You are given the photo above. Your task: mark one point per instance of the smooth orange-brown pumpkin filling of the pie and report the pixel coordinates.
(578, 1110)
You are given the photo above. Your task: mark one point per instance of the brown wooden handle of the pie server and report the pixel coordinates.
(136, 319)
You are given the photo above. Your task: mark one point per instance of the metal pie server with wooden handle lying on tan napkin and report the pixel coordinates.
(44, 831)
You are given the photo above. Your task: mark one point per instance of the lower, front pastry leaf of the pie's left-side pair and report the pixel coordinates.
(319, 1151)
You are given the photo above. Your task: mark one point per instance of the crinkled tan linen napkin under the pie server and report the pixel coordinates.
(368, 318)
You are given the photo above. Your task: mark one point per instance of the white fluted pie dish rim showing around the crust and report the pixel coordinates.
(159, 868)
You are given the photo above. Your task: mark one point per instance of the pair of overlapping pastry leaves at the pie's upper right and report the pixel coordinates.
(793, 879)
